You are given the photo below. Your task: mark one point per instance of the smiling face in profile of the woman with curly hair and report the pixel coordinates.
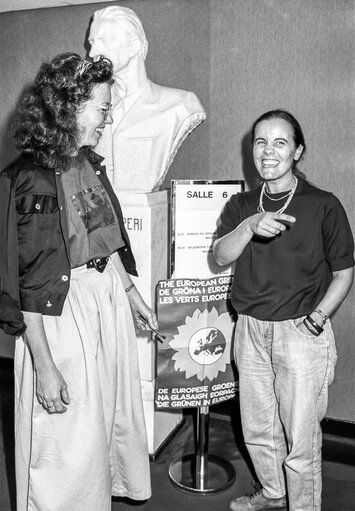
(93, 116)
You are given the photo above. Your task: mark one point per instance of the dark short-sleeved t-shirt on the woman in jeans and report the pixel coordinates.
(285, 277)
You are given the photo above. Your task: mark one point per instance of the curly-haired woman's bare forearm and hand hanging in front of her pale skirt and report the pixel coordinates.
(50, 385)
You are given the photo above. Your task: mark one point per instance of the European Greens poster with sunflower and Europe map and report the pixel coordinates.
(195, 362)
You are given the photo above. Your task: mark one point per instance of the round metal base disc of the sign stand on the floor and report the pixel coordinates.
(182, 473)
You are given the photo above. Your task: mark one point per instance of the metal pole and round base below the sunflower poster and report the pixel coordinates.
(200, 472)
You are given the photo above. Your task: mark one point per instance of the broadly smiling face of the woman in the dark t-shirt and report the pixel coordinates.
(274, 151)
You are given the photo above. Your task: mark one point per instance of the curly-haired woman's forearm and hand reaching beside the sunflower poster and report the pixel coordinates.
(138, 305)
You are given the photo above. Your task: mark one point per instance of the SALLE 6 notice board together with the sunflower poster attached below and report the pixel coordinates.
(195, 361)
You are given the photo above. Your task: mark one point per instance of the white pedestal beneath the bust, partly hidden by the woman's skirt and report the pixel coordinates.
(146, 220)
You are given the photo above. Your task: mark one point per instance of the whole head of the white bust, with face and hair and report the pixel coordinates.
(117, 33)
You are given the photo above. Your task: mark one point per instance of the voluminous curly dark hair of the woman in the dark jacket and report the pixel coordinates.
(45, 121)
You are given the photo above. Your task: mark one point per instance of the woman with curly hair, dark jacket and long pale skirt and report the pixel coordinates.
(67, 296)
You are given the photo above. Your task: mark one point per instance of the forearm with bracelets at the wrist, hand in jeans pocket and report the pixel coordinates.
(335, 295)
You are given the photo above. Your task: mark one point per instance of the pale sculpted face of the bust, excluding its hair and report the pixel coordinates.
(109, 39)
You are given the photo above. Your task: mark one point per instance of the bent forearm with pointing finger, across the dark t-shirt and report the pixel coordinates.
(228, 248)
